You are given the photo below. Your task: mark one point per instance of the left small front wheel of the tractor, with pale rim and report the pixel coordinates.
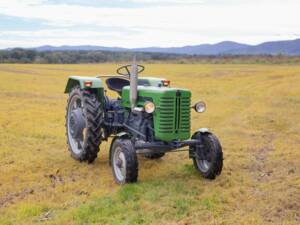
(124, 161)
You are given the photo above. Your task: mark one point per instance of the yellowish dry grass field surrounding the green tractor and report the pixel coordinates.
(253, 109)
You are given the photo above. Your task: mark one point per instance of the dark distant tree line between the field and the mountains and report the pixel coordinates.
(19, 55)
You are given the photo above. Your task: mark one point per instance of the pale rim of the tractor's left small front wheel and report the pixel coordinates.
(119, 164)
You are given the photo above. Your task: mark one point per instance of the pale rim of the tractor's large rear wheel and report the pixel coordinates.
(76, 125)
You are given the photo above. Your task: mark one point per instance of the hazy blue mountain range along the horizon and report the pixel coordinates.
(289, 47)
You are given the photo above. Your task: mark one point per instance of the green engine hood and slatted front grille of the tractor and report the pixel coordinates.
(172, 114)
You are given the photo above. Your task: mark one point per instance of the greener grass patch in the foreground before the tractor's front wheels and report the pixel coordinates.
(145, 201)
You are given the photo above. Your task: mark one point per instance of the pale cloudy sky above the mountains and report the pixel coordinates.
(145, 23)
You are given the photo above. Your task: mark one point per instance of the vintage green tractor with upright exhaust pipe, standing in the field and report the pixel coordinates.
(149, 117)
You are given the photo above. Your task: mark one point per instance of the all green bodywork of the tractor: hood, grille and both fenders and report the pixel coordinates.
(172, 114)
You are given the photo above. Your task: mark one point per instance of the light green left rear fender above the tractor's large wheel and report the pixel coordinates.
(78, 80)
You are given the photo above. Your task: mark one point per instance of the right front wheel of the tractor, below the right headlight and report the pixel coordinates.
(208, 156)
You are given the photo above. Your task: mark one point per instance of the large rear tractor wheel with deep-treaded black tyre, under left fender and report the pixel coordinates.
(83, 124)
